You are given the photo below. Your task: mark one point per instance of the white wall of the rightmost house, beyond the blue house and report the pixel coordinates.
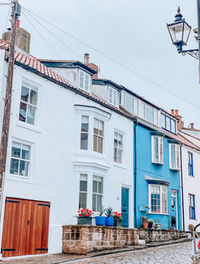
(191, 185)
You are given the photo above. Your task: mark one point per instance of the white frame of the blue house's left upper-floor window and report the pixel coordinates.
(160, 150)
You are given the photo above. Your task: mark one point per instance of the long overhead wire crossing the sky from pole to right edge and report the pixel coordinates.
(115, 61)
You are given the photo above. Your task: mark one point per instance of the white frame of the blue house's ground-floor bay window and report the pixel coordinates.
(163, 189)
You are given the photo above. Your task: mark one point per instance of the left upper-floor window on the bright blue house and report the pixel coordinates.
(157, 149)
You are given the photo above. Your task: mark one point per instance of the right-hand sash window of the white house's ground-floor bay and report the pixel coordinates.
(97, 194)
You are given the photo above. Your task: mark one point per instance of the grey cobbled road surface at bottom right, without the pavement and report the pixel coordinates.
(172, 254)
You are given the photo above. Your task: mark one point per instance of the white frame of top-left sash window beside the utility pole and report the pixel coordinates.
(31, 86)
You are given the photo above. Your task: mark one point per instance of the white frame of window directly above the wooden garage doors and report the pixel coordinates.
(12, 175)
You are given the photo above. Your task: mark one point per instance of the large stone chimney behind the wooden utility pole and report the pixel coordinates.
(23, 38)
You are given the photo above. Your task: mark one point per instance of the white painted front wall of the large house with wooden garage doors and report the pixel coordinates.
(56, 160)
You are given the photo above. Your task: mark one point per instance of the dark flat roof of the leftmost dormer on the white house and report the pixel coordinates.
(66, 64)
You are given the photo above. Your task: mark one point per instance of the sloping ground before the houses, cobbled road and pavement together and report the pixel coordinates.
(172, 252)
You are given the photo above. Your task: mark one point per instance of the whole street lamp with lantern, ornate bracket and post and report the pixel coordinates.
(179, 32)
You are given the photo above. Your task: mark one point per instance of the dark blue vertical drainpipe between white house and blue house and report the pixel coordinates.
(135, 173)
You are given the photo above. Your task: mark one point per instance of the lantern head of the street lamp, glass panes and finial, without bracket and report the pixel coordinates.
(179, 31)
